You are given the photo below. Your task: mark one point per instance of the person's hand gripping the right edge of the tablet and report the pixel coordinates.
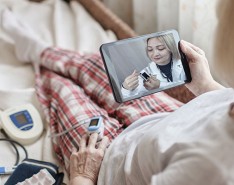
(202, 81)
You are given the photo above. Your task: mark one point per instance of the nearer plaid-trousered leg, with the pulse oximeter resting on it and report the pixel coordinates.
(65, 104)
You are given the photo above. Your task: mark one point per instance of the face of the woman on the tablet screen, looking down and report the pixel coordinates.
(158, 52)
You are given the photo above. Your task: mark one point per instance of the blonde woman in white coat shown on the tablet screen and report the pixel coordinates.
(164, 69)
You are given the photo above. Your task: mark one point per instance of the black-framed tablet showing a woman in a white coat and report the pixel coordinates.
(145, 64)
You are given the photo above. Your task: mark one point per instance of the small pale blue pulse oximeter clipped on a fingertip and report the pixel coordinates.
(96, 126)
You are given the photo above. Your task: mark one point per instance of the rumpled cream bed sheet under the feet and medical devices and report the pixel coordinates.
(60, 24)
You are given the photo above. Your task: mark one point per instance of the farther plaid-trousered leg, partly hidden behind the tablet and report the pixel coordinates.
(88, 72)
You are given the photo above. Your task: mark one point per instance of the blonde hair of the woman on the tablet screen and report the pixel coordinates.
(169, 41)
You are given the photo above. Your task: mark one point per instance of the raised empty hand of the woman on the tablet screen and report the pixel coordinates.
(131, 82)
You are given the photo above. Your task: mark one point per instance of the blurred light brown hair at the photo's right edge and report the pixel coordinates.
(224, 46)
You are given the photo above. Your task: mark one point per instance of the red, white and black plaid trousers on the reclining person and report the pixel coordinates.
(73, 88)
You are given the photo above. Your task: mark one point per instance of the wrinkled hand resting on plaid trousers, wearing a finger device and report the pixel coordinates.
(85, 164)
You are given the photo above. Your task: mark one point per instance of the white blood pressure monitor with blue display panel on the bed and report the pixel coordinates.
(22, 123)
